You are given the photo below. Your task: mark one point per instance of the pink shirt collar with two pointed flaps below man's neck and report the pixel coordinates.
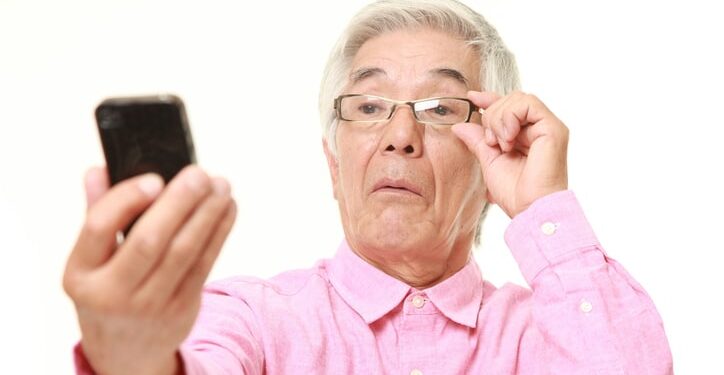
(373, 293)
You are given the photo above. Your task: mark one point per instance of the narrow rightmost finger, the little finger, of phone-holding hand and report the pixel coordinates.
(194, 280)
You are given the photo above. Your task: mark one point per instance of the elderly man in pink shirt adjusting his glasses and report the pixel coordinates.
(422, 130)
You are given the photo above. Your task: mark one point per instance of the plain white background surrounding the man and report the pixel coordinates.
(638, 83)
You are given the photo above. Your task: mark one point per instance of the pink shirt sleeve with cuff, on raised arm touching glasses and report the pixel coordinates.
(592, 317)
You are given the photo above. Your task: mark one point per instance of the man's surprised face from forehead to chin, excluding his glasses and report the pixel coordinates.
(403, 186)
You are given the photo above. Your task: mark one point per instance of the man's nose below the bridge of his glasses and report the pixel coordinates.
(402, 134)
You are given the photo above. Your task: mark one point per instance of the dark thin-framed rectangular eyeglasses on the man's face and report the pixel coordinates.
(436, 111)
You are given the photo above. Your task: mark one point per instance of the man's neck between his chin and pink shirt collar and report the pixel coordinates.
(418, 268)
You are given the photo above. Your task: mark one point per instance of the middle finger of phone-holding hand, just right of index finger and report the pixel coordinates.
(152, 233)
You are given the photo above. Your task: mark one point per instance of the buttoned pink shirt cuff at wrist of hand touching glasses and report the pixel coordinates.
(548, 232)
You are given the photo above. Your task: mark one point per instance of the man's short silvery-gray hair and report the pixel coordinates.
(498, 70)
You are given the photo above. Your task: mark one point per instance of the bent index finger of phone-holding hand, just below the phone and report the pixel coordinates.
(109, 214)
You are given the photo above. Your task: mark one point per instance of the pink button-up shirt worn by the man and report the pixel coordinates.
(584, 314)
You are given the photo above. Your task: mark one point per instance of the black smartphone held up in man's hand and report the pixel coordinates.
(144, 134)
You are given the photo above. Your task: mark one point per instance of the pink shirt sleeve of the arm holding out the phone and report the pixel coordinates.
(224, 339)
